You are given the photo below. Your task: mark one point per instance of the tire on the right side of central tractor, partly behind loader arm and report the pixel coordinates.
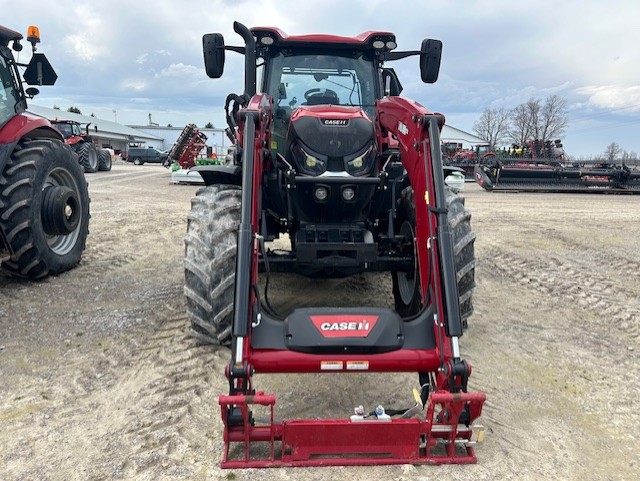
(406, 287)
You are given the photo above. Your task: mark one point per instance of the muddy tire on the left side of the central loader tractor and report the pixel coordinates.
(210, 262)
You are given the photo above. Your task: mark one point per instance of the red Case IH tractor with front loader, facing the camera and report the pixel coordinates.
(329, 154)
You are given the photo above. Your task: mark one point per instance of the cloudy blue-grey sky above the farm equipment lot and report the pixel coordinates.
(126, 60)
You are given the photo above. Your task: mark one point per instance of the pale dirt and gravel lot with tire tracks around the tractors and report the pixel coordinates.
(100, 378)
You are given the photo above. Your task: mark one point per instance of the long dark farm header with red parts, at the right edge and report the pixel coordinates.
(542, 166)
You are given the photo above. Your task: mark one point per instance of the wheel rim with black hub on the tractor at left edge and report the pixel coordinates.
(61, 235)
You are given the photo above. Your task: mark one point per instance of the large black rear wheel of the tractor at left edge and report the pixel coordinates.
(44, 209)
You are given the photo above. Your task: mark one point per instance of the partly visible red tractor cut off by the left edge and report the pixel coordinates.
(44, 200)
